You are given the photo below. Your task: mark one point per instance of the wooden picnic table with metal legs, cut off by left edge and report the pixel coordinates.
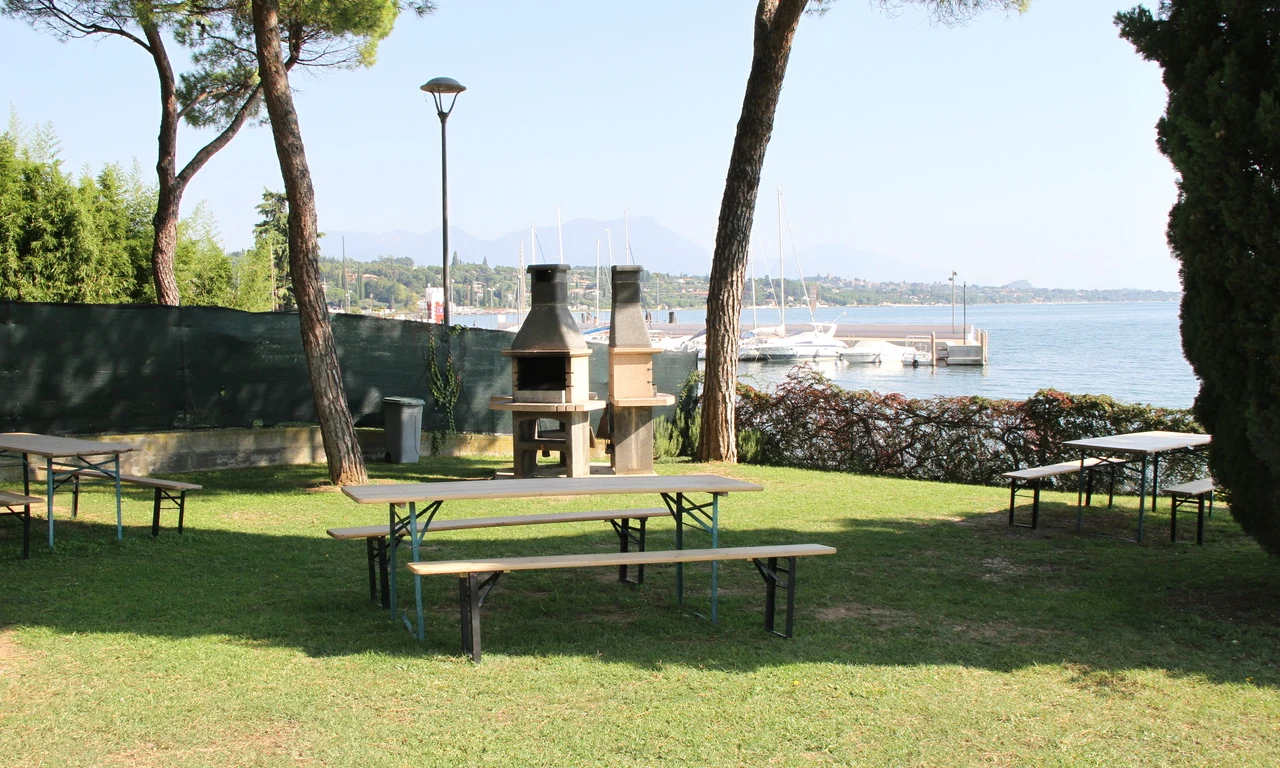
(63, 459)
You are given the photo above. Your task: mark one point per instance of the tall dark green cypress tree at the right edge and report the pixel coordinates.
(1222, 131)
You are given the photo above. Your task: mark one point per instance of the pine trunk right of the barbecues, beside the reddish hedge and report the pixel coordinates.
(776, 24)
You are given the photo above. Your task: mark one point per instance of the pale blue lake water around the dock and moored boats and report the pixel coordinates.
(1130, 351)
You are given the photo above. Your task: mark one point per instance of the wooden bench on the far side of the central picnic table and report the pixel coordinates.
(377, 538)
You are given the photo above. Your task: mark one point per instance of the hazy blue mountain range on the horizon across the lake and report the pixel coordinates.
(653, 246)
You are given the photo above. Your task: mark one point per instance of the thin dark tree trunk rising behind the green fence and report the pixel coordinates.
(166, 222)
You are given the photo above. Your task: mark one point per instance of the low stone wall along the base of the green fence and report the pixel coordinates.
(232, 449)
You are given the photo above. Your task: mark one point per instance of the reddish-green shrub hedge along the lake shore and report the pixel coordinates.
(807, 422)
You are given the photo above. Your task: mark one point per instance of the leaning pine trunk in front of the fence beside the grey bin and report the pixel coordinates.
(342, 451)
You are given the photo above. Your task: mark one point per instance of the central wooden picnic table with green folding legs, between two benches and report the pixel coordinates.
(674, 490)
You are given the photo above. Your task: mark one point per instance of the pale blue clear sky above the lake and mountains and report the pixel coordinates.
(1013, 148)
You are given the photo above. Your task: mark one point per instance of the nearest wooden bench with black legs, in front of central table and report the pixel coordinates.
(473, 589)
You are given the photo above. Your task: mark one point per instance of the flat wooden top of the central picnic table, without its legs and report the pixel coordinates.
(403, 493)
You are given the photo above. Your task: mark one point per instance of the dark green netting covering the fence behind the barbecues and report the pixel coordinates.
(85, 369)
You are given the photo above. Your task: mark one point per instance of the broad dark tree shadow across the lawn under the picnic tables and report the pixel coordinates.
(966, 591)
